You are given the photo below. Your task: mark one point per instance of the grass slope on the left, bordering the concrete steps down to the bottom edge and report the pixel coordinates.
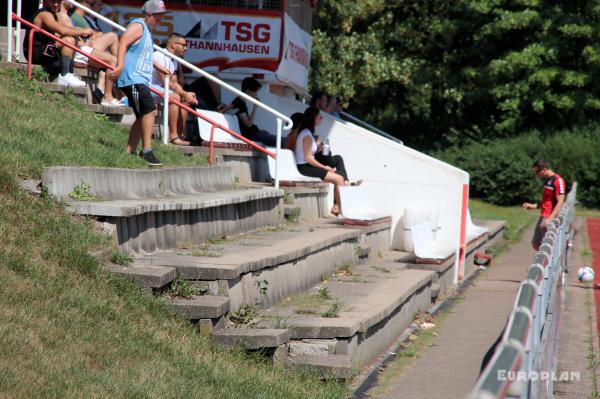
(68, 329)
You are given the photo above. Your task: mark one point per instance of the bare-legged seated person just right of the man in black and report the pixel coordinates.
(104, 46)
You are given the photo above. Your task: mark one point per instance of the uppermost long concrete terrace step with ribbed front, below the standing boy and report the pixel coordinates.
(151, 209)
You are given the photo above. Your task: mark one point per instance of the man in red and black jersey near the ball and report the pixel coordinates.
(553, 197)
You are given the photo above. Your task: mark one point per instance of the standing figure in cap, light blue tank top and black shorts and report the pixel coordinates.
(134, 73)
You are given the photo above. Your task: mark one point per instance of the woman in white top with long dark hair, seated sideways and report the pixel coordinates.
(305, 150)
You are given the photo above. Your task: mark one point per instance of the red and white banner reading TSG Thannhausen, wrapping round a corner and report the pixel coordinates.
(237, 40)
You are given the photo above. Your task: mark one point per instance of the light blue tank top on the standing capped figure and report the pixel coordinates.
(138, 60)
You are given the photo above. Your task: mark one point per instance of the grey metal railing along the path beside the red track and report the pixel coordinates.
(533, 316)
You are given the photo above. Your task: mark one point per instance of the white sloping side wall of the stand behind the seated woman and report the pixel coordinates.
(396, 177)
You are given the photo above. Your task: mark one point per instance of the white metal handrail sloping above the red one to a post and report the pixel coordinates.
(278, 115)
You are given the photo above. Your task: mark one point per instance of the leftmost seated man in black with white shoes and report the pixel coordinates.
(55, 57)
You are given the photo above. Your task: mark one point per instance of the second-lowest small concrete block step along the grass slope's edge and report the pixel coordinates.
(251, 338)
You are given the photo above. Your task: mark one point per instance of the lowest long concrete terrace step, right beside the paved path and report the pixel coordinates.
(355, 312)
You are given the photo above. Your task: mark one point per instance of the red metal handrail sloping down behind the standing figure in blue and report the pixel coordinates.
(35, 29)
